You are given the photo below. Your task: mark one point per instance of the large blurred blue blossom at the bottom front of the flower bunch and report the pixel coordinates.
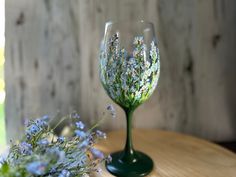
(37, 168)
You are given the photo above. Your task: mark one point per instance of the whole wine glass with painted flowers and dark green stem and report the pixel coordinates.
(129, 72)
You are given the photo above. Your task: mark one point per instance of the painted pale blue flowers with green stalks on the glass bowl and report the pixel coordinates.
(129, 79)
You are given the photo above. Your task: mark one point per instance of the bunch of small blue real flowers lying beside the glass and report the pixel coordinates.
(42, 153)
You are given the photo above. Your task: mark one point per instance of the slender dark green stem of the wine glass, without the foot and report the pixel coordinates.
(129, 154)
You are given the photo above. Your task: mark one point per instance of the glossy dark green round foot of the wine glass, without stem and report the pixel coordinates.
(141, 165)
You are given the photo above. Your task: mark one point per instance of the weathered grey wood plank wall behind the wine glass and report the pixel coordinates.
(52, 63)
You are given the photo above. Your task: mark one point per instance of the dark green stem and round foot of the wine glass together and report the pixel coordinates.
(129, 163)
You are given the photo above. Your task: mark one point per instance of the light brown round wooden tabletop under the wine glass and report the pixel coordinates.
(176, 155)
